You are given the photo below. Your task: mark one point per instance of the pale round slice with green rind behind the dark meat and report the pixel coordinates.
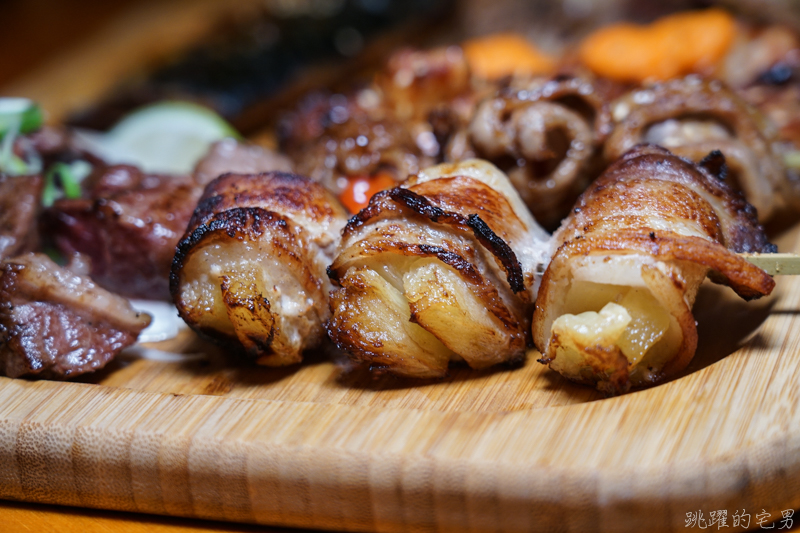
(167, 137)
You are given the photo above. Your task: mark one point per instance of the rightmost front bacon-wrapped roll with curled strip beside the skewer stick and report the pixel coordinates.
(614, 308)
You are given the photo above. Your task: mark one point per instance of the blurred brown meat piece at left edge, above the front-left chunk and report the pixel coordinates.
(19, 207)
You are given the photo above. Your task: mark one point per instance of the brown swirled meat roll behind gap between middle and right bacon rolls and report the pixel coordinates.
(545, 134)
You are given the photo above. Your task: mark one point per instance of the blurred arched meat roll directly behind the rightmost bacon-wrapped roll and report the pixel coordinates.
(693, 117)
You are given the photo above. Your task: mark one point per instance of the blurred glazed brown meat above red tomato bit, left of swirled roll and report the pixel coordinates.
(380, 129)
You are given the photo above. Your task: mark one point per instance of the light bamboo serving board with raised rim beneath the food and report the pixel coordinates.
(321, 446)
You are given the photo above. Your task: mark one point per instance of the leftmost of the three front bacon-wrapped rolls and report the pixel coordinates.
(250, 271)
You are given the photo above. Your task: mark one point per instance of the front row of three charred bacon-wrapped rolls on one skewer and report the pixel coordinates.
(446, 268)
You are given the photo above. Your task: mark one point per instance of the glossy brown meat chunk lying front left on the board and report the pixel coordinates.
(56, 324)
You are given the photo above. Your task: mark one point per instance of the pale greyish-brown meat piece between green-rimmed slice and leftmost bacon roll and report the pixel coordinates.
(229, 155)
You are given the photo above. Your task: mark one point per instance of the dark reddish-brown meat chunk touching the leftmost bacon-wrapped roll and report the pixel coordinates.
(128, 223)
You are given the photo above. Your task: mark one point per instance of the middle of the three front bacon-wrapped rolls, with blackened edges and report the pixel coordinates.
(440, 268)
